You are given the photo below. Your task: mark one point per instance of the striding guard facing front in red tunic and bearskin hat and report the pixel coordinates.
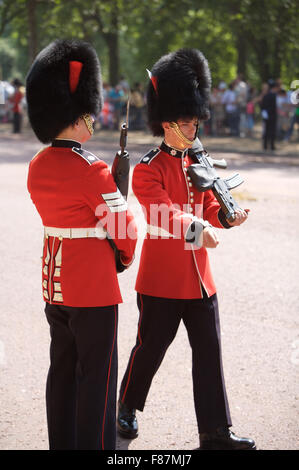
(174, 281)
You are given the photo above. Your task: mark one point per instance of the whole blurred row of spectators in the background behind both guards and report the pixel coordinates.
(236, 108)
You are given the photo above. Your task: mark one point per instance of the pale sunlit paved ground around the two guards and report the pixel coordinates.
(256, 270)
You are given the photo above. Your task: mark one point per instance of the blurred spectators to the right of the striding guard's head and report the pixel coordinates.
(237, 107)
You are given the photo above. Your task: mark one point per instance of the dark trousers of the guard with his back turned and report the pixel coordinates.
(82, 379)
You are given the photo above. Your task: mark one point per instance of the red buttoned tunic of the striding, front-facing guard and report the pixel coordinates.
(169, 266)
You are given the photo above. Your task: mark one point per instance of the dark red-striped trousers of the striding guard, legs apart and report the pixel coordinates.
(158, 324)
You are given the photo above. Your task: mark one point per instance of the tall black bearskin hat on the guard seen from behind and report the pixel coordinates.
(63, 83)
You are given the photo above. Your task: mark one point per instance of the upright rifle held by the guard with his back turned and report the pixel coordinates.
(120, 172)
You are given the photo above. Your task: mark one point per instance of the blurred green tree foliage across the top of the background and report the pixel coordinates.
(258, 38)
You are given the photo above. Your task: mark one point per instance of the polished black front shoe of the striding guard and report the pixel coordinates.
(224, 439)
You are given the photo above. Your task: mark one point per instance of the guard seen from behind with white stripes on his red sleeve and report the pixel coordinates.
(81, 209)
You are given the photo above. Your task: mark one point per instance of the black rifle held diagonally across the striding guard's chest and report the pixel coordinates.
(204, 177)
